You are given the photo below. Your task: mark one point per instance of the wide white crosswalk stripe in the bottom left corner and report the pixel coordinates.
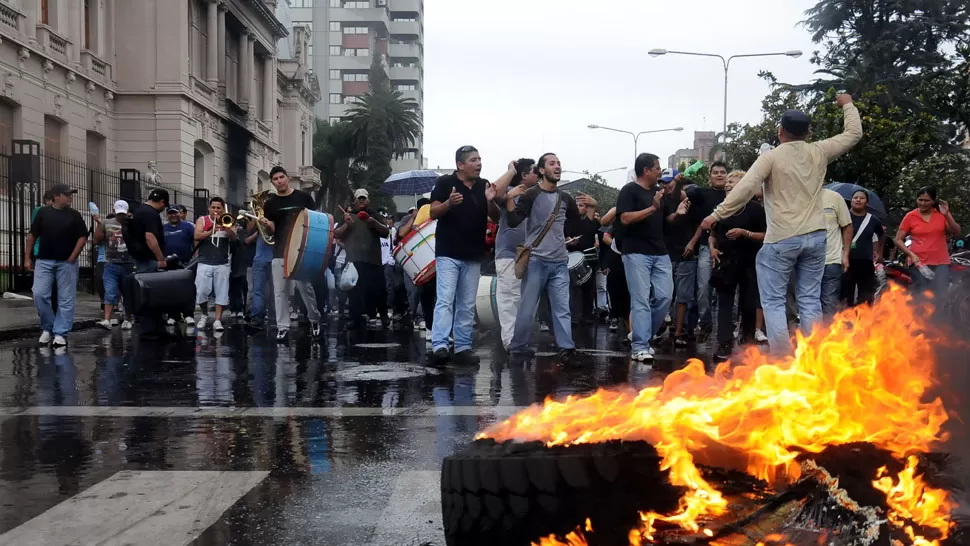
(130, 507)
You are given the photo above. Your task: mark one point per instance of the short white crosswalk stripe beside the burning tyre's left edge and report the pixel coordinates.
(413, 514)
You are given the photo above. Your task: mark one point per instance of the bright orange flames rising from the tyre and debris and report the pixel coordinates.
(862, 379)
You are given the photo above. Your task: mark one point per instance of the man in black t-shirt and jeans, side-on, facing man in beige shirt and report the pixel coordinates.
(639, 209)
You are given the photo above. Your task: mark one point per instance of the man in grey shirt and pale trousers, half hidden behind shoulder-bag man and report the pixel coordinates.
(508, 288)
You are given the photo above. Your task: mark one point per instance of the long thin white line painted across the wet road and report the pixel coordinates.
(227, 412)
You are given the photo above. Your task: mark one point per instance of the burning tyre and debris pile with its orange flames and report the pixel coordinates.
(829, 447)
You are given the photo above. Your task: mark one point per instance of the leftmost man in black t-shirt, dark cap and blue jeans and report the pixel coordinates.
(62, 234)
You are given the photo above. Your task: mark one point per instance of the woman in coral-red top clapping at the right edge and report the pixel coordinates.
(928, 227)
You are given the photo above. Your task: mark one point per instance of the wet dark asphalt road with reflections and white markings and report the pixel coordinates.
(236, 439)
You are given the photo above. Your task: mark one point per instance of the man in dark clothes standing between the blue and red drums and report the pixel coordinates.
(361, 234)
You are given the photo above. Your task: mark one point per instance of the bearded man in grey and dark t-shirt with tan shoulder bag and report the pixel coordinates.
(551, 214)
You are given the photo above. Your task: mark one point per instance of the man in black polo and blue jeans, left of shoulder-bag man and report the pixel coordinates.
(460, 202)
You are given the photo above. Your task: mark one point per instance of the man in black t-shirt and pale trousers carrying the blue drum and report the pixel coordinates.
(279, 213)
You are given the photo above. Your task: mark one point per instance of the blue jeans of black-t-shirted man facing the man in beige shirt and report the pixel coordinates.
(644, 271)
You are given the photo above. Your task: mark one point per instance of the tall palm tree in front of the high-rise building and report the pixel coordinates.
(384, 125)
